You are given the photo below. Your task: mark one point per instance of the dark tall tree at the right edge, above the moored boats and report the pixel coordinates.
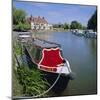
(92, 23)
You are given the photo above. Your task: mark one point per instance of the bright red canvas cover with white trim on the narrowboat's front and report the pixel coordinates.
(51, 58)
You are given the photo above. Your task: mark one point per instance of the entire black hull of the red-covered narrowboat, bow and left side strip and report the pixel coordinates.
(62, 82)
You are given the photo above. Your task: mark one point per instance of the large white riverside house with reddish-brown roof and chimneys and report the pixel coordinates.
(39, 23)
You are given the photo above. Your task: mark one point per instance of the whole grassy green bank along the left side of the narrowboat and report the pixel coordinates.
(26, 82)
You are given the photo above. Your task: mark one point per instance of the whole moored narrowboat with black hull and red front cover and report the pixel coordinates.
(48, 58)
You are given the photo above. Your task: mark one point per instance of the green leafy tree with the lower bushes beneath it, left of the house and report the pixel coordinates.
(19, 20)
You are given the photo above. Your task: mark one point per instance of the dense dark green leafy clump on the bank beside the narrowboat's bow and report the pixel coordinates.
(32, 81)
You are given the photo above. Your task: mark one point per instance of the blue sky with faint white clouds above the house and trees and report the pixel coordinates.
(57, 13)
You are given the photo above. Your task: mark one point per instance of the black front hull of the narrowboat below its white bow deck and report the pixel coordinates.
(61, 83)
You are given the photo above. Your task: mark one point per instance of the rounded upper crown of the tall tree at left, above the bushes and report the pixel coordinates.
(18, 16)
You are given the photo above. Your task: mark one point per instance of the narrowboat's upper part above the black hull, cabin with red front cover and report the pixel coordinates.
(47, 56)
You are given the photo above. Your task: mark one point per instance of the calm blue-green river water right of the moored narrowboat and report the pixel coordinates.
(81, 52)
